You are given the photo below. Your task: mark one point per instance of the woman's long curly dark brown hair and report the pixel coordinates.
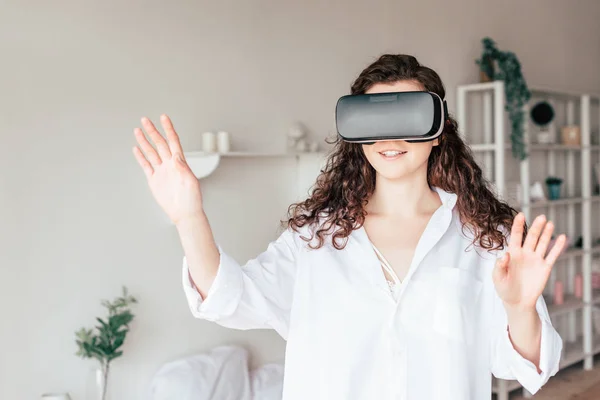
(347, 181)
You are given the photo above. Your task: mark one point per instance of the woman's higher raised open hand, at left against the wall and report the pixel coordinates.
(171, 181)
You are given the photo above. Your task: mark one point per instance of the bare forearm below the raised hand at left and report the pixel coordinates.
(200, 250)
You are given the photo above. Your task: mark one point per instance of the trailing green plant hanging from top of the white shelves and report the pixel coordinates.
(515, 88)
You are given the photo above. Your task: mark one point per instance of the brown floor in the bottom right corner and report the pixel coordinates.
(572, 383)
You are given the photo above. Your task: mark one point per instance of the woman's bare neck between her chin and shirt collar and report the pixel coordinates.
(403, 197)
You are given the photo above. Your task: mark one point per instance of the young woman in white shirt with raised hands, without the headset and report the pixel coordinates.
(396, 279)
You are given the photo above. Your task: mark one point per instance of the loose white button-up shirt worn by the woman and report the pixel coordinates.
(348, 338)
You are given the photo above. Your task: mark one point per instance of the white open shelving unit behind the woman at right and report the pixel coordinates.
(577, 214)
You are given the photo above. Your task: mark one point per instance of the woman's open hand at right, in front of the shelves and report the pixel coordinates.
(521, 274)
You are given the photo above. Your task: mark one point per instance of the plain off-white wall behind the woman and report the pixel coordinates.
(76, 219)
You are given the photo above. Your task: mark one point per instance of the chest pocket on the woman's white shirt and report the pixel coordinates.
(444, 304)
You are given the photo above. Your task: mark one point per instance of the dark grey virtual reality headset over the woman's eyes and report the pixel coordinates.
(409, 116)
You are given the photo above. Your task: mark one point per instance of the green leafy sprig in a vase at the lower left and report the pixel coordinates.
(104, 340)
